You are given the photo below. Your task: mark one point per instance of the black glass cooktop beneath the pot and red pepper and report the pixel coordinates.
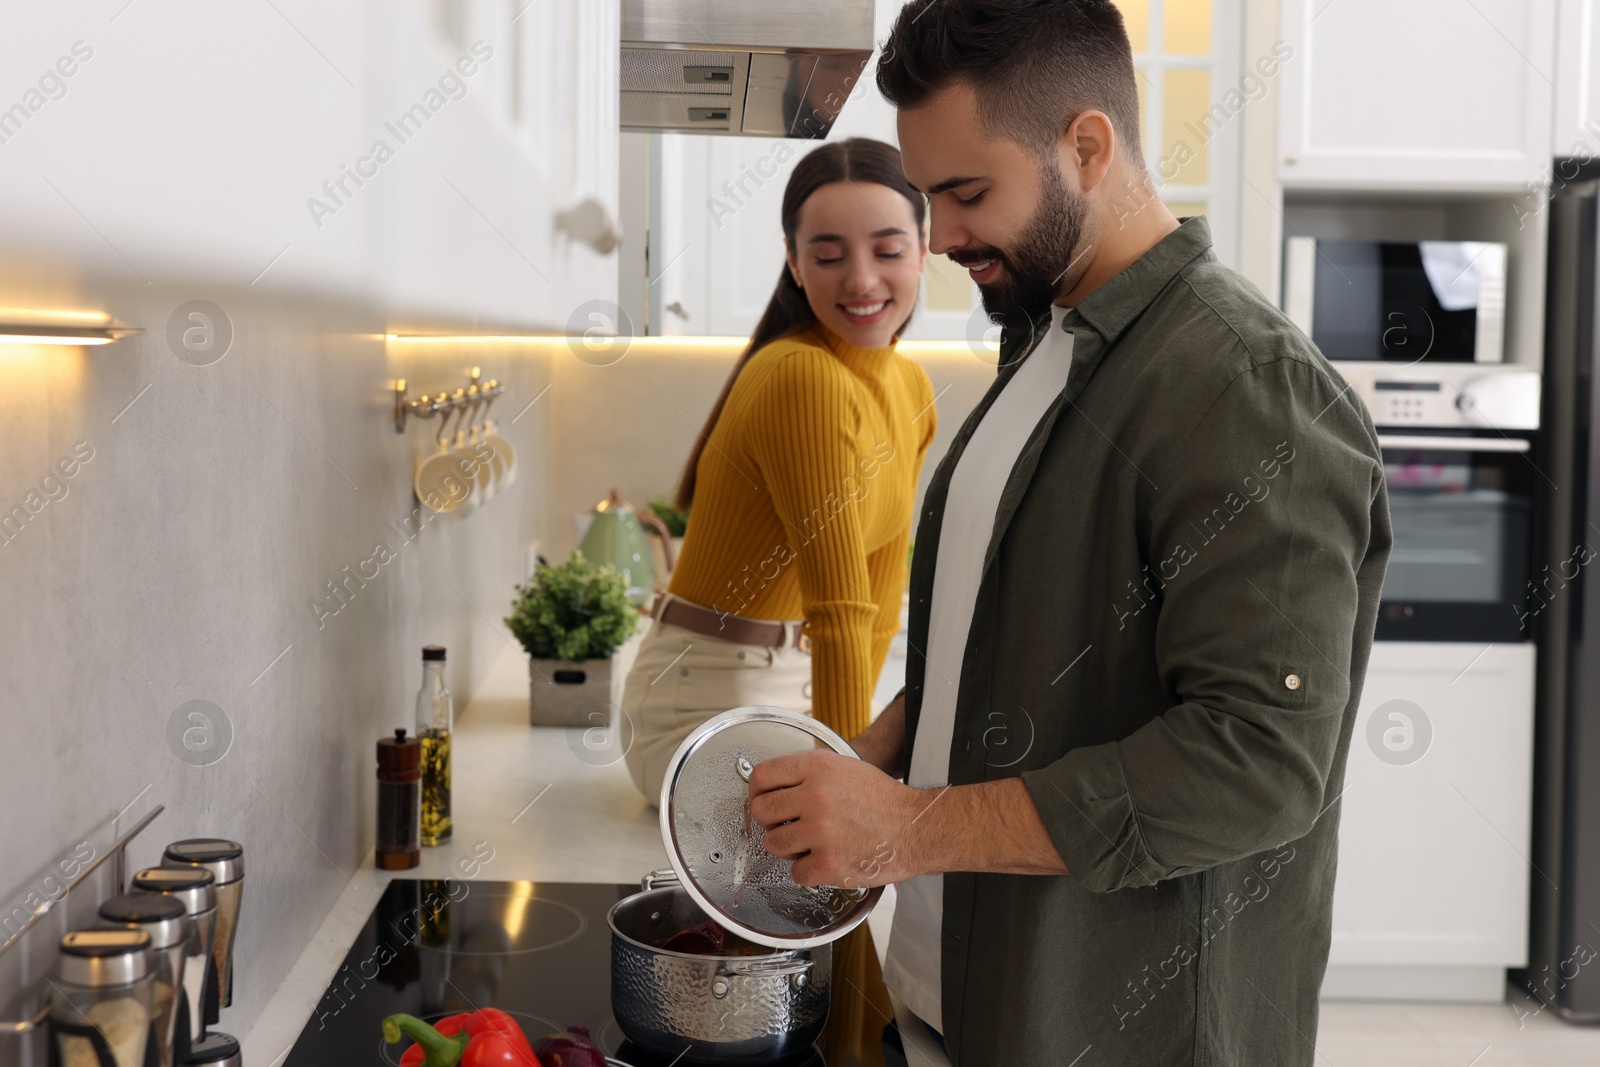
(433, 948)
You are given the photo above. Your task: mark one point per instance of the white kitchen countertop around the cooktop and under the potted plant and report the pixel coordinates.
(529, 805)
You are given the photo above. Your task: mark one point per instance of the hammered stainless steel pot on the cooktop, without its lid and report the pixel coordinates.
(730, 1010)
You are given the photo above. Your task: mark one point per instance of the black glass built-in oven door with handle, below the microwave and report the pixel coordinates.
(1462, 505)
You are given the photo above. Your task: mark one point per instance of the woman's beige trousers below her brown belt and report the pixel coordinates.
(681, 679)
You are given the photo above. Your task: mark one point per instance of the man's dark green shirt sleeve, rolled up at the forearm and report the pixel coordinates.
(1258, 530)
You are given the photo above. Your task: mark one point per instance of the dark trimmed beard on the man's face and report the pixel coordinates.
(1044, 254)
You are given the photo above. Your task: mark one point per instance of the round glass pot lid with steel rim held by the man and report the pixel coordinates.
(718, 850)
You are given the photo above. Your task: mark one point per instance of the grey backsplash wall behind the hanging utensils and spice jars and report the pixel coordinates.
(209, 510)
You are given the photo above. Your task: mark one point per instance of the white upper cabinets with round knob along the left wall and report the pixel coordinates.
(393, 159)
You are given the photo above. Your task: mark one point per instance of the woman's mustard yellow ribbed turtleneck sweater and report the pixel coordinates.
(804, 503)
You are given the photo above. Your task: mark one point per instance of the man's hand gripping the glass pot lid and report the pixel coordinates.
(844, 821)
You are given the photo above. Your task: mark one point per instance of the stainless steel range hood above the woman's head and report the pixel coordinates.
(743, 68)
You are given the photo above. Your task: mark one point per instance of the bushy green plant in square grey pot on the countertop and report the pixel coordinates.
(570, 618)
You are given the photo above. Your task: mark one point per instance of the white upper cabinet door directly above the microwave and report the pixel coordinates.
(1417, 94)
